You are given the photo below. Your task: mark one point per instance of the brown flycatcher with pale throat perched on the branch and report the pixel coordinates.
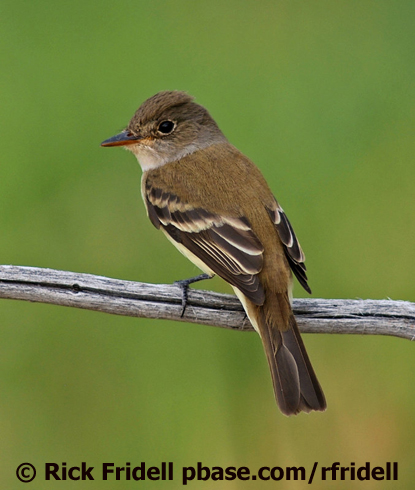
(215, 206)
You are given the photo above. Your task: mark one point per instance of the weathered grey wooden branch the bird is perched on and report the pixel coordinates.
(377, 317)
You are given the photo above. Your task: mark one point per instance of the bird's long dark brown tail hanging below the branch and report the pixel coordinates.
(295, 383)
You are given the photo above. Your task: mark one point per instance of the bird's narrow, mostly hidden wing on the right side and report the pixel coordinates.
(292, 248)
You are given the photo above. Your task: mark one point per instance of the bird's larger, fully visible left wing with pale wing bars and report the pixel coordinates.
(227, 245)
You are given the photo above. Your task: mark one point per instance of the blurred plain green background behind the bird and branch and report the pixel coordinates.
(321, 96)
